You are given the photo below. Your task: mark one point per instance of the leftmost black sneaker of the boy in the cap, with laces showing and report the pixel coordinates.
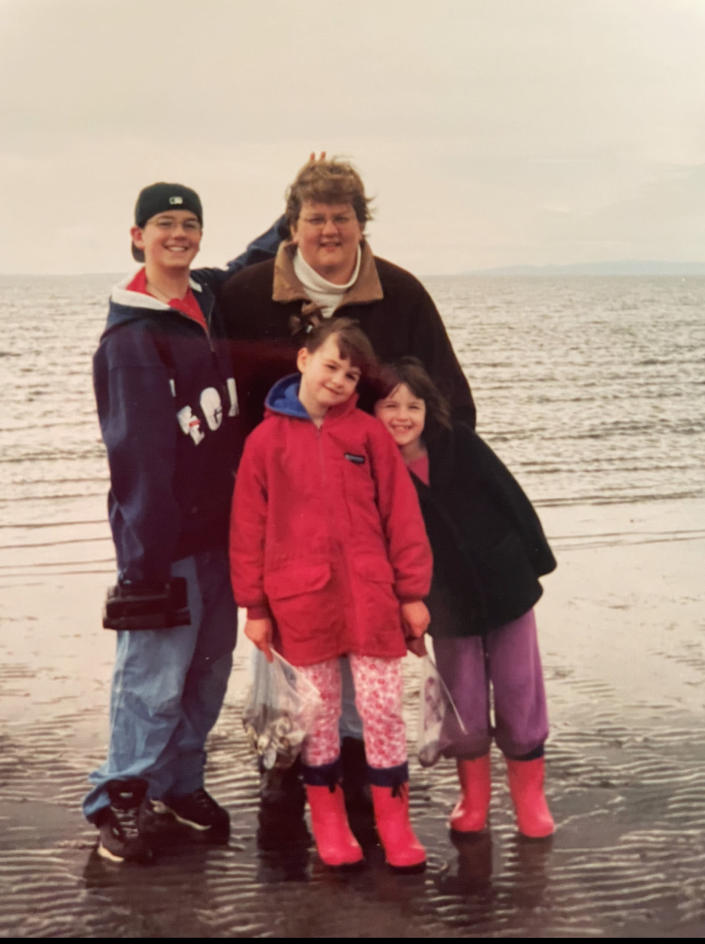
(119, 836)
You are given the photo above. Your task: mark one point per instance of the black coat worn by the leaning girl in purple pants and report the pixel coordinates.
(489, 548)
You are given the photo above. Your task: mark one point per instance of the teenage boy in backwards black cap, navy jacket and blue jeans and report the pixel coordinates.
(168, 411)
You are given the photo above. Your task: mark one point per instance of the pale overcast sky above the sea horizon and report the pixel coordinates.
(491, 132)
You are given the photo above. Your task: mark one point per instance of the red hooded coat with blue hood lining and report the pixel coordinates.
(326, 532)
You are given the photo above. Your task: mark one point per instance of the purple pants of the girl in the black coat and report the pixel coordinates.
(508, 658)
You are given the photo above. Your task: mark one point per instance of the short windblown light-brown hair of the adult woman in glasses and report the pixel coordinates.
(328, 181)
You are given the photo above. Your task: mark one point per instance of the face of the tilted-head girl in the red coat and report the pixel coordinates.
(327, 378)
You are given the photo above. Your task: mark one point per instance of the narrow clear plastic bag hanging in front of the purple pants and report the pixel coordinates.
(439, 724)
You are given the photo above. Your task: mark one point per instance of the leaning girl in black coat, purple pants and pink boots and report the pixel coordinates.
(489, 551)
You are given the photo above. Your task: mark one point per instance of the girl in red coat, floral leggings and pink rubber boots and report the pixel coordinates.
(330, 557)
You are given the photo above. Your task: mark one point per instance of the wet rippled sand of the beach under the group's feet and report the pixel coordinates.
(621, 630)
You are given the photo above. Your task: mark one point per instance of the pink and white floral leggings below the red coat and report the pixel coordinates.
(378, 698)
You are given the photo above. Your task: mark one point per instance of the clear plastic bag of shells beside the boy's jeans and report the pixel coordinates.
(278, 711)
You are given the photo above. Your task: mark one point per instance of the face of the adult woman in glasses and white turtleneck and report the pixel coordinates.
(327, 235)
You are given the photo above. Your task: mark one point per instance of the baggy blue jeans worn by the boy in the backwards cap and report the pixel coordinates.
(168, 688)
